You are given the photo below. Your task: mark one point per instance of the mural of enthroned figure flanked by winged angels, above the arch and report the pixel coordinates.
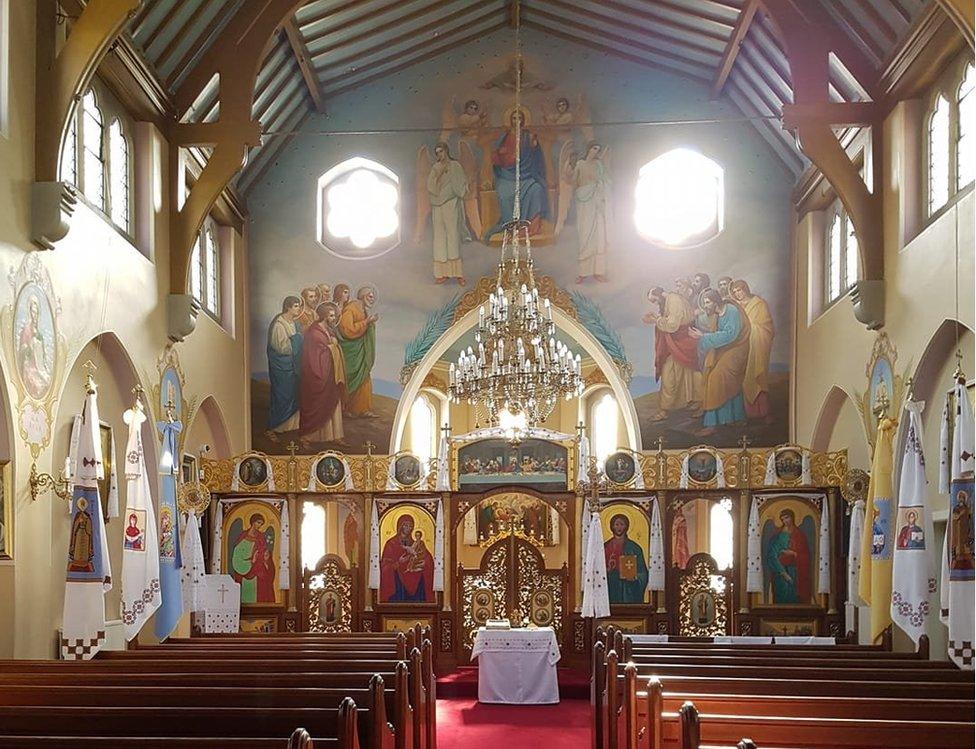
(465, 186)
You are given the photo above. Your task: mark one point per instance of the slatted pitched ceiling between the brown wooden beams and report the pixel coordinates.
(331, 46)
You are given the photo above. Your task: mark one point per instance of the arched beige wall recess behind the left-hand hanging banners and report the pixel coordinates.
(116, 376)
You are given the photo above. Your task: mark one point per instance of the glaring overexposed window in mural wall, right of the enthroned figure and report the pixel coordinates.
(680, 199)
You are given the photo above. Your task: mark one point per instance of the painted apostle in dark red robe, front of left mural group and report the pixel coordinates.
(322, 380)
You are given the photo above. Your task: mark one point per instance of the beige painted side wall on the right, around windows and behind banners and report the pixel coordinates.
(922, 260)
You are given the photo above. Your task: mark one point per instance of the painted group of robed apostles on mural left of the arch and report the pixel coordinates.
(321, 349)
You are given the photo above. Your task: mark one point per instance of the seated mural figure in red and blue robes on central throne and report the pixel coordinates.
(533, 192)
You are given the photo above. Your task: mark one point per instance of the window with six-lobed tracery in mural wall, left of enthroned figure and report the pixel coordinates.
(359, 209)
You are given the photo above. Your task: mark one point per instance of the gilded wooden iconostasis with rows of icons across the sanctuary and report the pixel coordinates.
(697, 542)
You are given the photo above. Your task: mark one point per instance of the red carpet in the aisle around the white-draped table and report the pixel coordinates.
(464, 723)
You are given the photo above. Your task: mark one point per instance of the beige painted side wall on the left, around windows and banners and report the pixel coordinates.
(104, 284)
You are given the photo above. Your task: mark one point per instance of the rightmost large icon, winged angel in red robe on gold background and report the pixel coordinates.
(788, 550)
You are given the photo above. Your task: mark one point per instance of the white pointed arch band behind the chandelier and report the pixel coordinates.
(567, 325)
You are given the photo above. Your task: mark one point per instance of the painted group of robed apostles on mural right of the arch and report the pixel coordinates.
(712, 351)
